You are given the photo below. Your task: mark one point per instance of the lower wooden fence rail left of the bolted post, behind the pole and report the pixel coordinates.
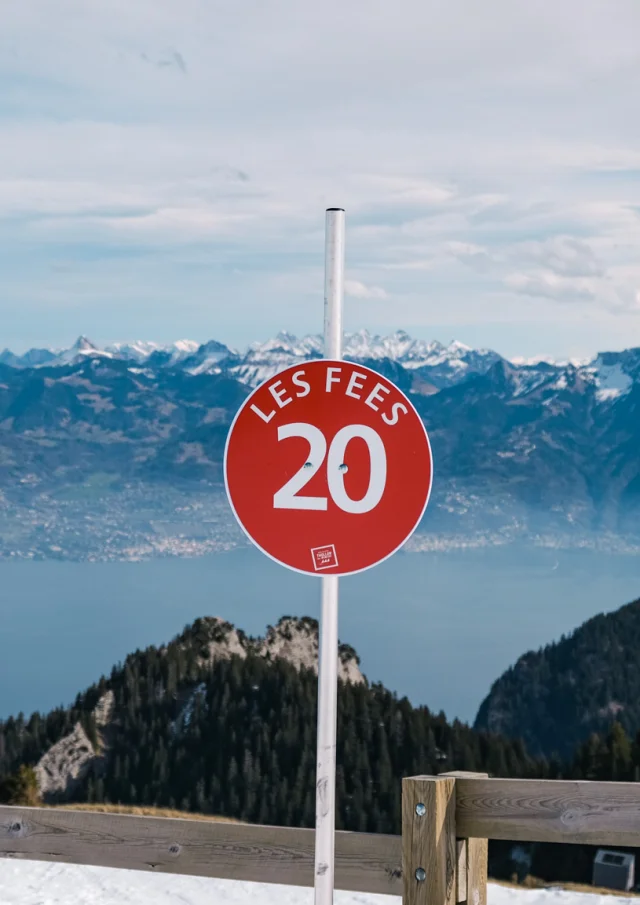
(364, 863)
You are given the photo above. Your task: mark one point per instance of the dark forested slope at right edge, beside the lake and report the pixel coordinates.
(556, 697)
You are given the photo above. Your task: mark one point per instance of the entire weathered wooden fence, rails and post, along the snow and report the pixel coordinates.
(441, 858)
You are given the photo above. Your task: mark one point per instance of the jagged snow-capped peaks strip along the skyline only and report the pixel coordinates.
(431, 365)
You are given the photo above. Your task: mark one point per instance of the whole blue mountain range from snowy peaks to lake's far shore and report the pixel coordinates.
(528, 450)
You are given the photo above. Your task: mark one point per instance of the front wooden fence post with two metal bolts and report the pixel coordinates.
(429, 854)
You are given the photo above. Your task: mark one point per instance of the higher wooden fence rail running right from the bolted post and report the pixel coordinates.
(530, 810)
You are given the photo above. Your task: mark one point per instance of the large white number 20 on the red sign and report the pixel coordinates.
(287, 498)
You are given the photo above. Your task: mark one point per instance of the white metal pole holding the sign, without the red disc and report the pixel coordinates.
(328, 663)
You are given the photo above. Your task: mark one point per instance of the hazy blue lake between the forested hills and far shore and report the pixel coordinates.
(436, 627)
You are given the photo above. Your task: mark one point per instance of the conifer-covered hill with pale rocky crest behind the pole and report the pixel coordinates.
(204, 724)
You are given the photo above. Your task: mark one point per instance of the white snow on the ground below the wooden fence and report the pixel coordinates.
(38, 883)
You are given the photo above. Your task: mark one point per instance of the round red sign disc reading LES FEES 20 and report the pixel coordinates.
(328, 468)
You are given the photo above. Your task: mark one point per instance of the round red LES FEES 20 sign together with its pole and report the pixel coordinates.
(328, 470)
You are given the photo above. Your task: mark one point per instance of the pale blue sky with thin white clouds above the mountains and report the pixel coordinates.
(165, 166)
